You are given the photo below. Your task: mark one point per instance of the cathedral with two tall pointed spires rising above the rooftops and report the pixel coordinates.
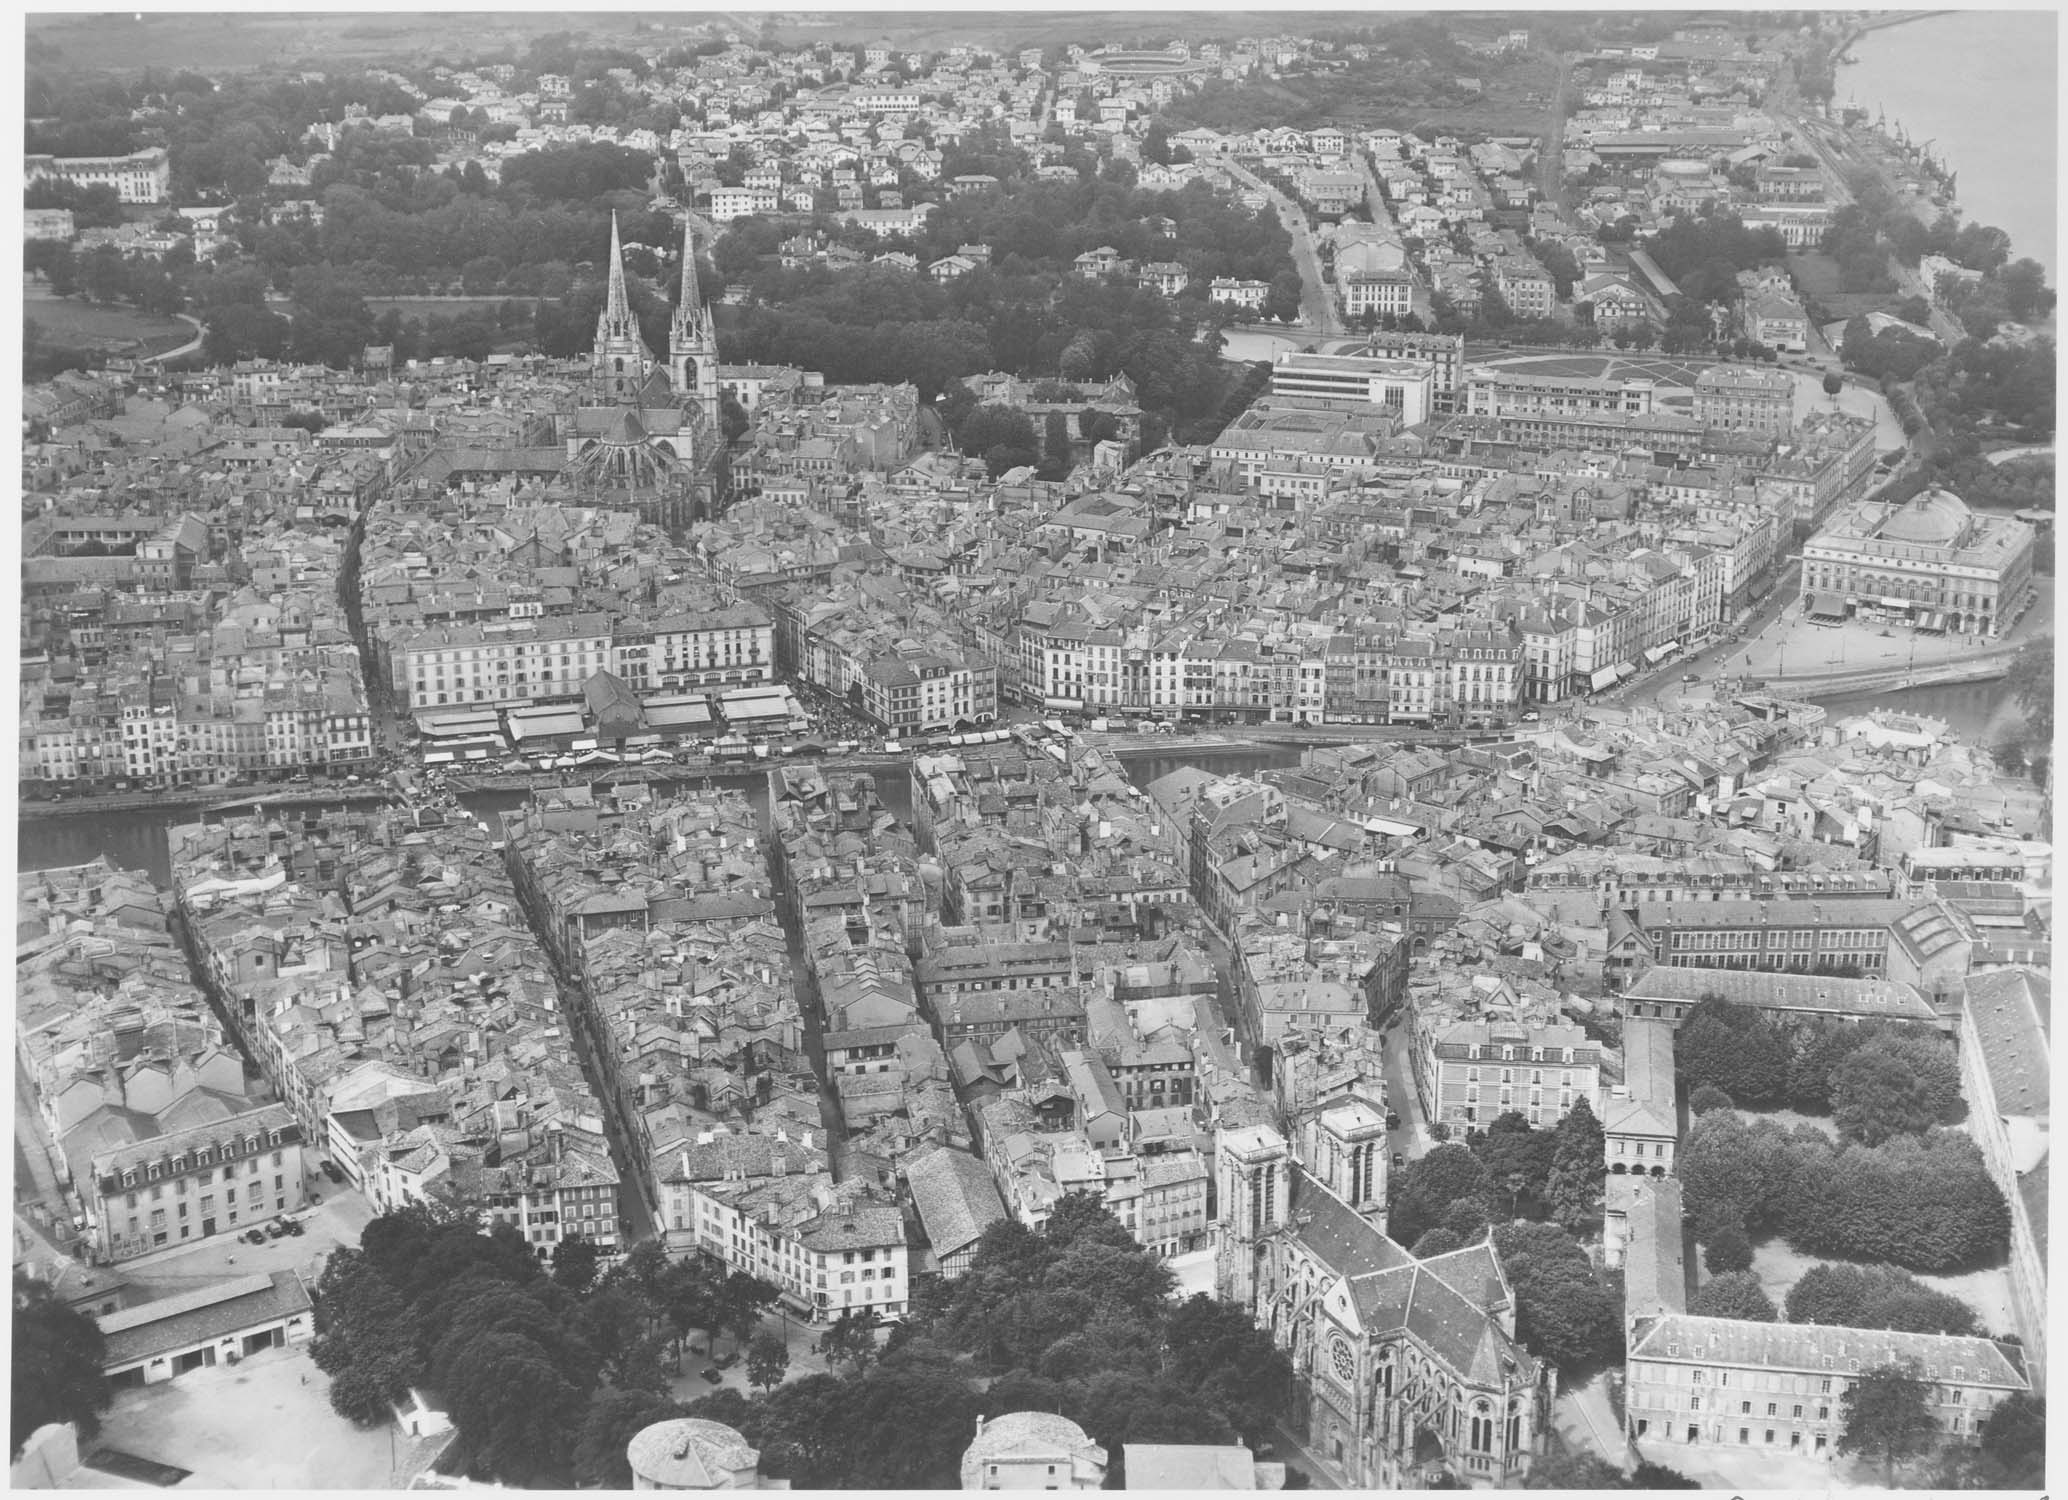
(646, 433)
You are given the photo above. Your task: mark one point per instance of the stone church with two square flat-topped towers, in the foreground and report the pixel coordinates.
(1407, 1373)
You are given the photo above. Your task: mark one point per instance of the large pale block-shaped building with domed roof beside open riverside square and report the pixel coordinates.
(1928, 562)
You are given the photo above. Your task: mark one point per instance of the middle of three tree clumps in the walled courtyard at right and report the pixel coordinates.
(1924, 1203)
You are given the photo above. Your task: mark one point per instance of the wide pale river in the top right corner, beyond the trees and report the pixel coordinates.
(1982, 88)
